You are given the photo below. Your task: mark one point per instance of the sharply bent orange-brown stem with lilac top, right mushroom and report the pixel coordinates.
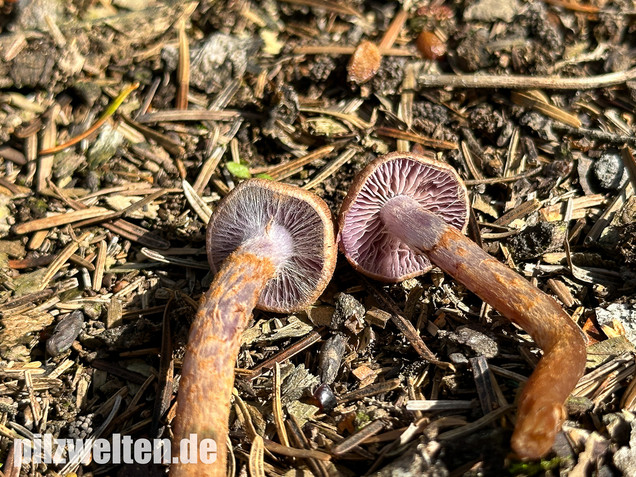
(540, 408)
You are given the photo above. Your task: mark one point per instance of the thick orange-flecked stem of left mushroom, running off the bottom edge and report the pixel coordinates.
(207, 374)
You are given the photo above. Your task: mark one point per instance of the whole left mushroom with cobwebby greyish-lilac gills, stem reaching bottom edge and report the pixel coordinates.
(272, 247)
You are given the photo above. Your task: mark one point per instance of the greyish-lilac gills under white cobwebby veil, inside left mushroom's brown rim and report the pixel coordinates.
(288, 229)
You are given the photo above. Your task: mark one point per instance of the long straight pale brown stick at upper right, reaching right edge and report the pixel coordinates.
(525, 82)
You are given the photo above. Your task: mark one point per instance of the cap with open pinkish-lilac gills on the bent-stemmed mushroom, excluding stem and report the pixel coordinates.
(362, 236)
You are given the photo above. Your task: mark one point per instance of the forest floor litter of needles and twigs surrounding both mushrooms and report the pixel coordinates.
(150, 111)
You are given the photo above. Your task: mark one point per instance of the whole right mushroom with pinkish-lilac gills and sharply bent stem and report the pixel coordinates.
(404, 210)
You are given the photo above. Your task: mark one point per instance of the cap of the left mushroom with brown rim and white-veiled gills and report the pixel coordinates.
(302, 217)
